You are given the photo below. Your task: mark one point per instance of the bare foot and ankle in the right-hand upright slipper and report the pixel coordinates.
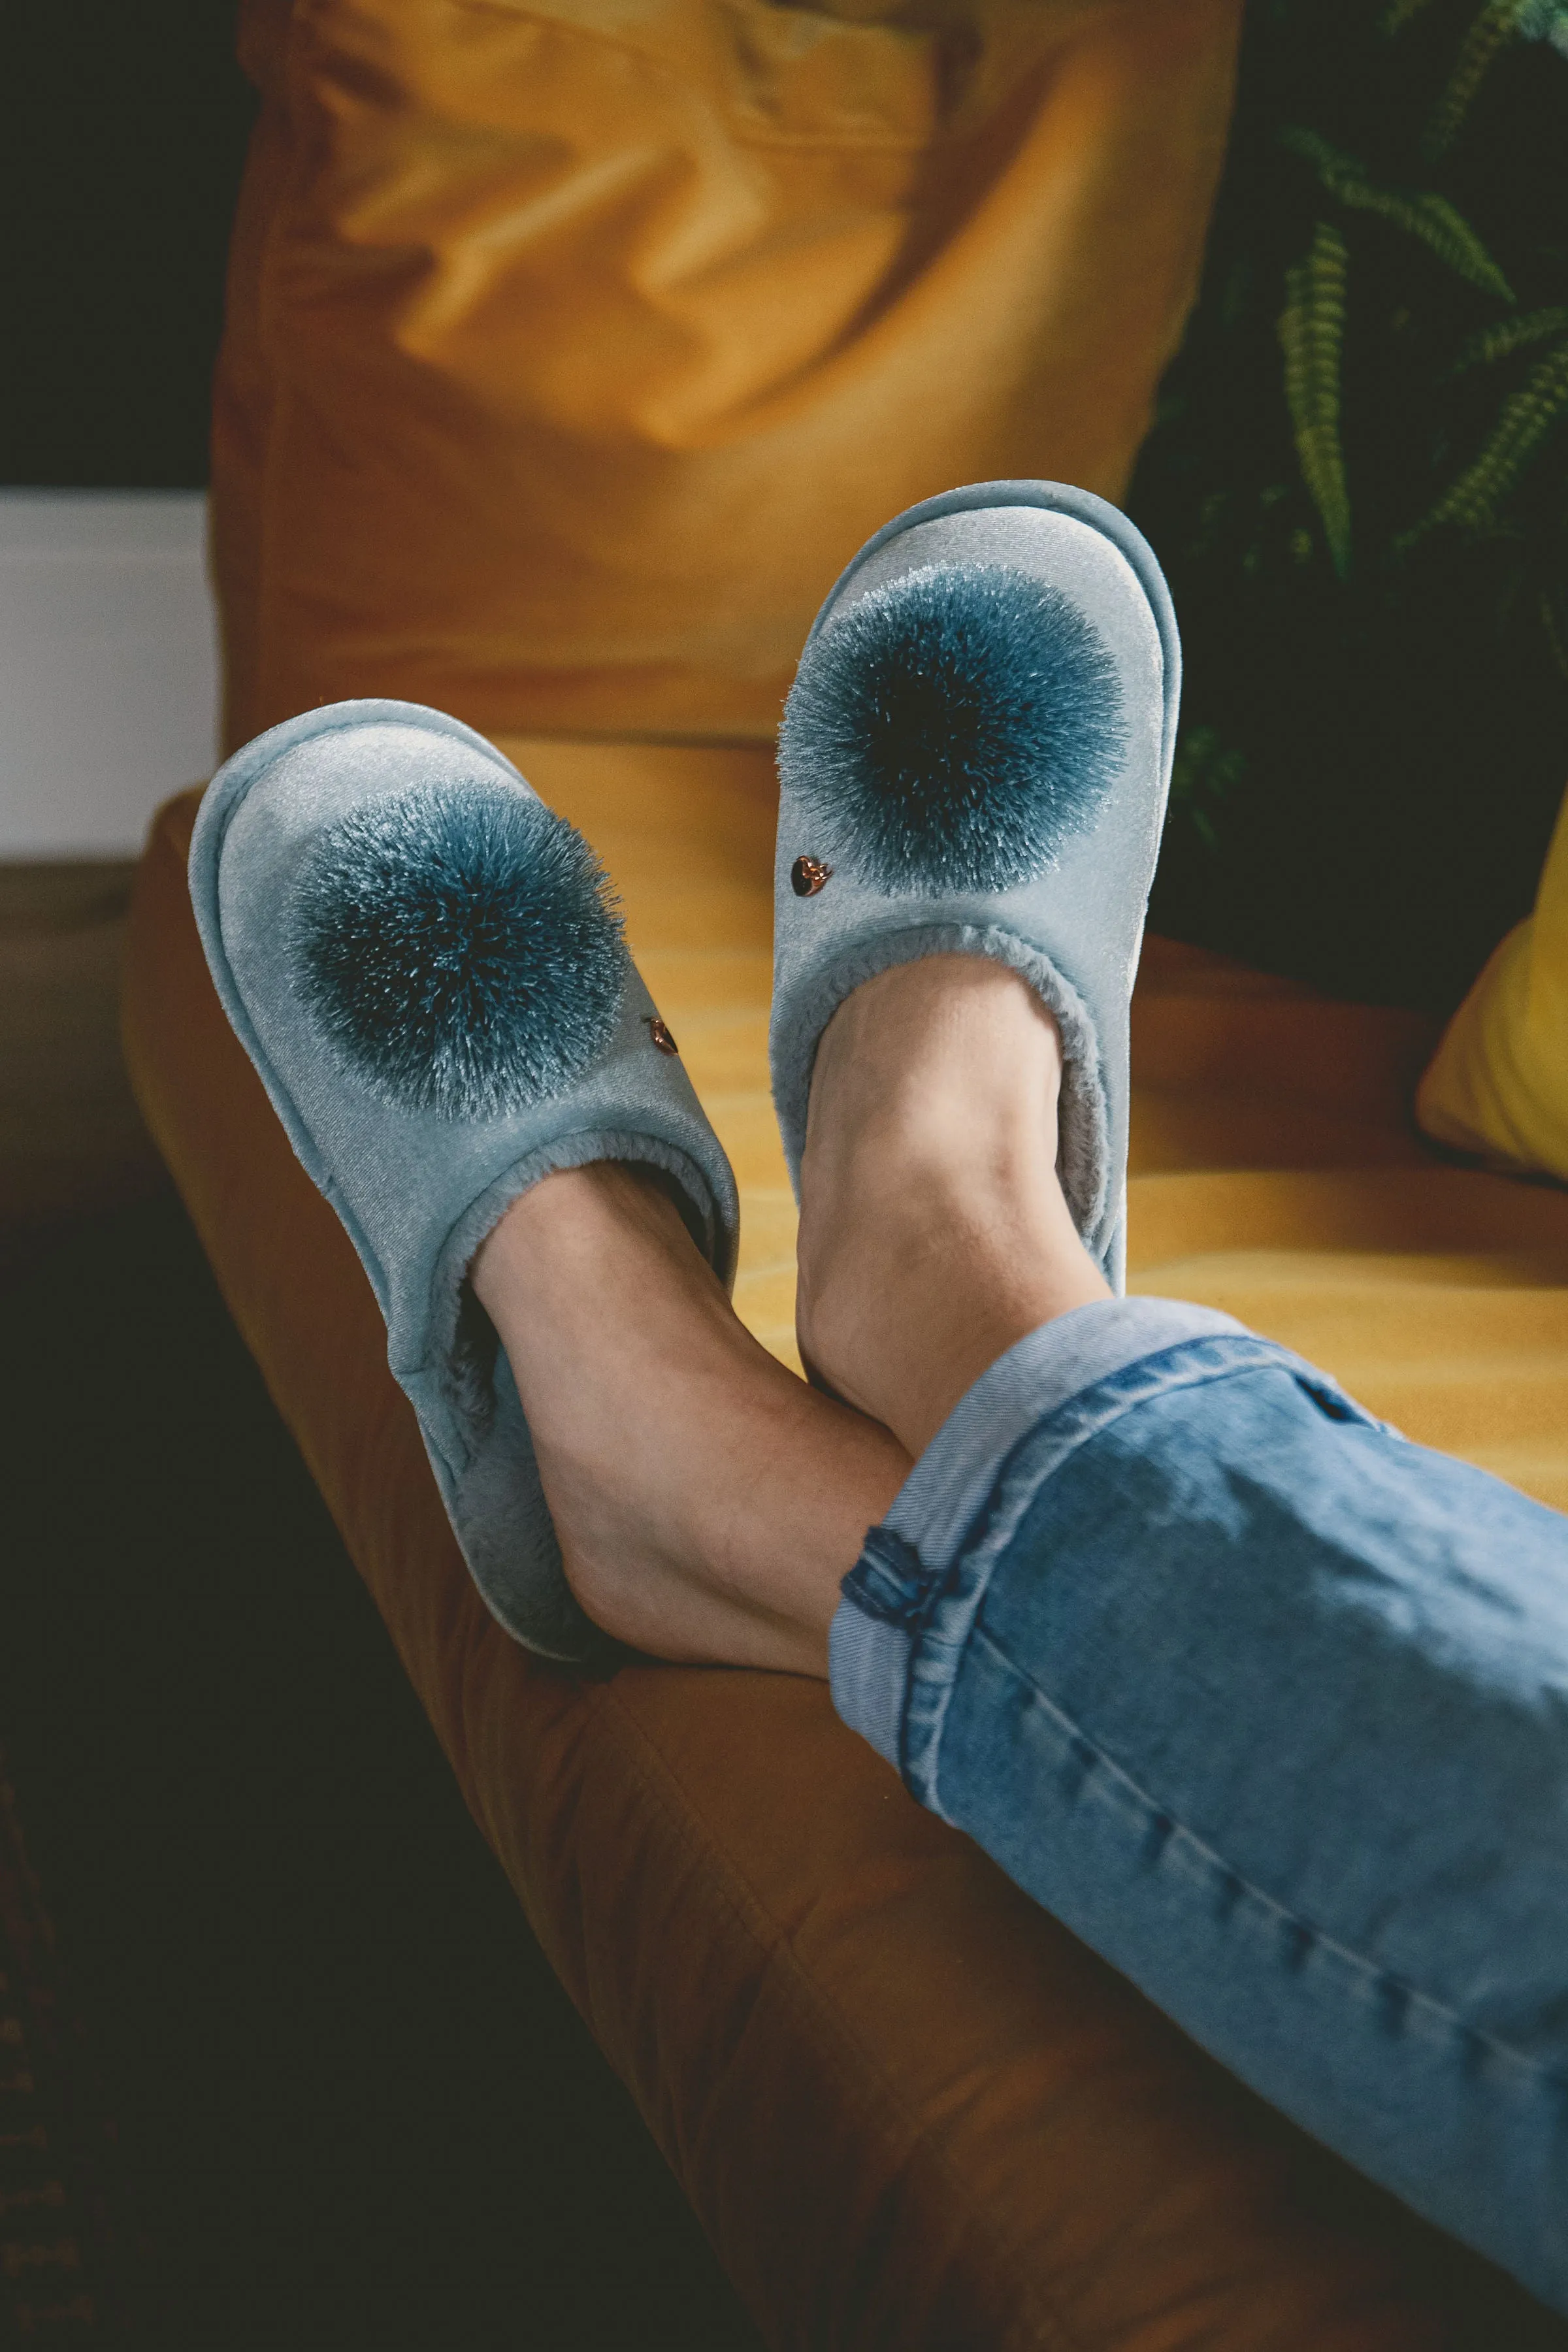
(934, 1229)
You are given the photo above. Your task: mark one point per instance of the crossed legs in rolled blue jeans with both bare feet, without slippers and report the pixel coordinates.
(1259, 1699)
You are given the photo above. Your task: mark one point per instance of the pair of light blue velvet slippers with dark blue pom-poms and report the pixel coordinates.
(431, 980)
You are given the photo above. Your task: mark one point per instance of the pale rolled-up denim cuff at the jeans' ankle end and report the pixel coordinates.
(871, 1645)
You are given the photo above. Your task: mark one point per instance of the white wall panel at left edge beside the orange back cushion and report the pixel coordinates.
(109, 676)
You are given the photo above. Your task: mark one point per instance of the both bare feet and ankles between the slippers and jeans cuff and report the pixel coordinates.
(709, 1504)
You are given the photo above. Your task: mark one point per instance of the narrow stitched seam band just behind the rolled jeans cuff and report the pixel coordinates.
(996, 1521)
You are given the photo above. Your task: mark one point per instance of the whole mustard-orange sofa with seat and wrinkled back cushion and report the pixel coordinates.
(570, 352)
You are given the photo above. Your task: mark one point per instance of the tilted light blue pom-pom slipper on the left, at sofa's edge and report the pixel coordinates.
(434, 987)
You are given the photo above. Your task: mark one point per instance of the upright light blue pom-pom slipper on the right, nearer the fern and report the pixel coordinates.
(974, 761)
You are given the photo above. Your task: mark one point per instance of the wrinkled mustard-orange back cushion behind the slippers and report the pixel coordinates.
(572, 349)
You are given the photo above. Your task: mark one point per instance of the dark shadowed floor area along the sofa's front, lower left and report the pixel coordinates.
(349, 2104)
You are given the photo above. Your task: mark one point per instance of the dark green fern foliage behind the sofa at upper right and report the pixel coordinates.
(1360, 490)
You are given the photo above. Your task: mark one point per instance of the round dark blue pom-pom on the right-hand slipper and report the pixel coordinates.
(953, 730)
